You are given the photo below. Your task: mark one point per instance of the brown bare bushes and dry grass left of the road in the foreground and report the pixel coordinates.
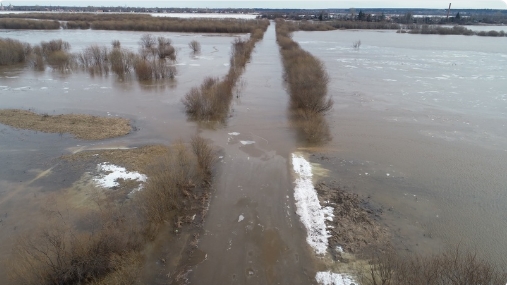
(110, 248)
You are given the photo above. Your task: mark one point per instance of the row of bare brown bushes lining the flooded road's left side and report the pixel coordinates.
(211, 100)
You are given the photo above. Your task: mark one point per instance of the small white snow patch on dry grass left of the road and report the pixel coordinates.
(109, 173)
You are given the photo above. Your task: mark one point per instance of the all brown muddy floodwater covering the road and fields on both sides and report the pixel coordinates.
(418, 125)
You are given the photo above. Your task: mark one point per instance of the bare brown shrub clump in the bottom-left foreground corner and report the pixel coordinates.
(58, 254)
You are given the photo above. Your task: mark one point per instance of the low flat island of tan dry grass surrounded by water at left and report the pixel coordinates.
(86, 127)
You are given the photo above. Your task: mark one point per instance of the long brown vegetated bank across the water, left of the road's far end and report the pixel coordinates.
(136, 22)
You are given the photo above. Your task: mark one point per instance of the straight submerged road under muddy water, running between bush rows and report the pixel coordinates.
(252, 234)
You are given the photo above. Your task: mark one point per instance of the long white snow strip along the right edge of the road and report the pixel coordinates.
(312, 215)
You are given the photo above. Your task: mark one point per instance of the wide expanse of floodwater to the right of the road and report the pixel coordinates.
(419, 124)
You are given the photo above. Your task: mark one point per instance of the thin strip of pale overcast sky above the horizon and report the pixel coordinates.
(457, 4)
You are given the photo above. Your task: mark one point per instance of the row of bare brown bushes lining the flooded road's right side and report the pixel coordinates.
(307, 83)
